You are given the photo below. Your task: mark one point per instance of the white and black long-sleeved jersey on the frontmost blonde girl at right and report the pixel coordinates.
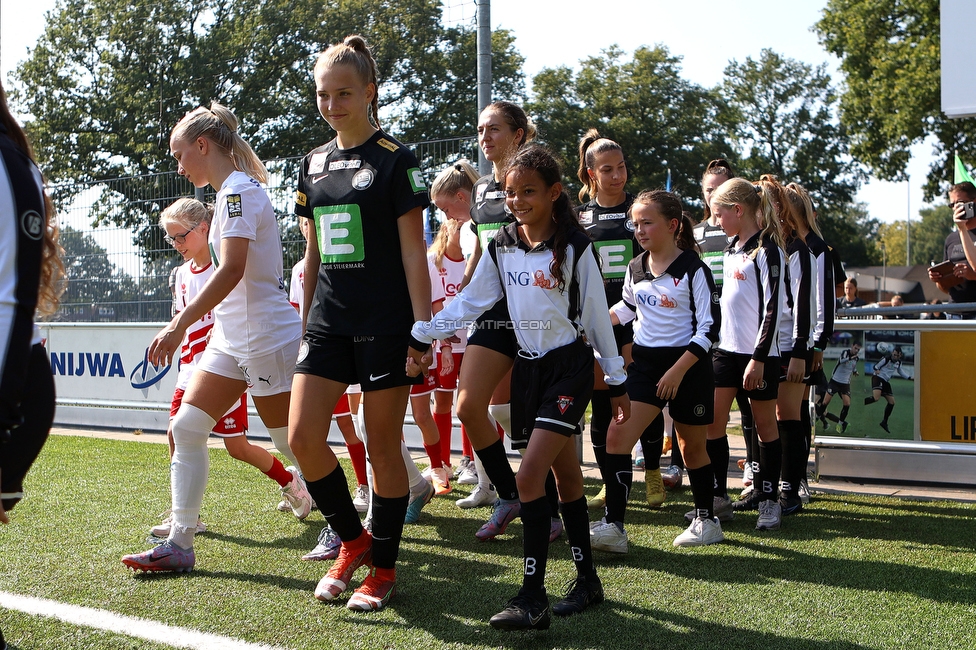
(751, 295)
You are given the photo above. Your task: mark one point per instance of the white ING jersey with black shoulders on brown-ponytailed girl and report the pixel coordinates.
(679, 308)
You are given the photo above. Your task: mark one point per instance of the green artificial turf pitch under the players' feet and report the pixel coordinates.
(849, 572)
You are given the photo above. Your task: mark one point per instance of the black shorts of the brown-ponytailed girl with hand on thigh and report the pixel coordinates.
(695, 401)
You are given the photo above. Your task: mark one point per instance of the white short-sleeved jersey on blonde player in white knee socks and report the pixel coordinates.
(255, 318)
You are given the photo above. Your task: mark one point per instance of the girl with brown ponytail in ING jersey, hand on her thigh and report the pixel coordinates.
(670, 293)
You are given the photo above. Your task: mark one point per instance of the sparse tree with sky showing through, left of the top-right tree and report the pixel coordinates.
(782, 113)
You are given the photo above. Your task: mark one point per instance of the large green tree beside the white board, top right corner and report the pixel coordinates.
(890, 53)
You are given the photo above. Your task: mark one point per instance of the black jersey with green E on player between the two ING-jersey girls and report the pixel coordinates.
(613, 239)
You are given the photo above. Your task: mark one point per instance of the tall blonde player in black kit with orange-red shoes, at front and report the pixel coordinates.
(366, 281)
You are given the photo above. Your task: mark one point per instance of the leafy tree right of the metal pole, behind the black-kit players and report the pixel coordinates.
(659, 119)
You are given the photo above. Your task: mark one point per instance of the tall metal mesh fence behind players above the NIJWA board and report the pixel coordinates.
(118, 263)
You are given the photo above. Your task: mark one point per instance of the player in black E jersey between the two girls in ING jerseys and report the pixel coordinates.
(603, 172)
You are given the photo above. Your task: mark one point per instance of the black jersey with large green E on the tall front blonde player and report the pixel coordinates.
(355, 196)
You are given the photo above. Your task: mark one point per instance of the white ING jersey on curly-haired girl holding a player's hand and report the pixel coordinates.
(544, 316)
